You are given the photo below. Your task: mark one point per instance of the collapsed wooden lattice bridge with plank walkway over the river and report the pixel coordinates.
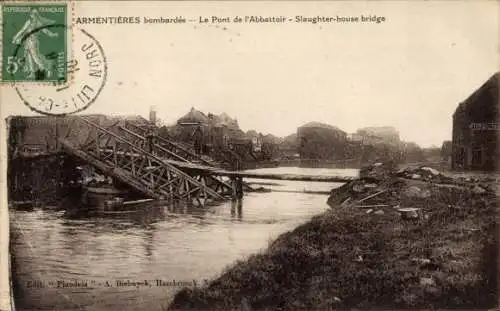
(160, 168)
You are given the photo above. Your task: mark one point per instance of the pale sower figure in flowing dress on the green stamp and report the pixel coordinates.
(35, 61)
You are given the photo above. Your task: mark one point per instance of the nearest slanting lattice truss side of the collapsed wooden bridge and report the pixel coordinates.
(143, 171)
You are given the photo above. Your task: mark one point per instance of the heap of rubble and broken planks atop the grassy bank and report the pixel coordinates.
(408, 193)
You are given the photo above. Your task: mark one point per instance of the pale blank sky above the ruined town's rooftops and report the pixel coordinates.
(410, 71)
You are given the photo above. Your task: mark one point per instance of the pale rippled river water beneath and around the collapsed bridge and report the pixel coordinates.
(161, 249)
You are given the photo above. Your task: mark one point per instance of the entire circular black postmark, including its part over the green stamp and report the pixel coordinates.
(66, 85)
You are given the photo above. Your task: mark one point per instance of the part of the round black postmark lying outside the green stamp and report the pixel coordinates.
(86, 77)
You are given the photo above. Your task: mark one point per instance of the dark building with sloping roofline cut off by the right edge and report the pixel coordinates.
(474, 143)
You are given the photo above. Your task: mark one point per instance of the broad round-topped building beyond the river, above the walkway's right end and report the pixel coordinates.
(321, 141)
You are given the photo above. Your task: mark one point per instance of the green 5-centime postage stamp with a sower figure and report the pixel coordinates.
(34, 42)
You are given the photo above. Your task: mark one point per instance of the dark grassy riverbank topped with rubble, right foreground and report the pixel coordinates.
(364, 254)
